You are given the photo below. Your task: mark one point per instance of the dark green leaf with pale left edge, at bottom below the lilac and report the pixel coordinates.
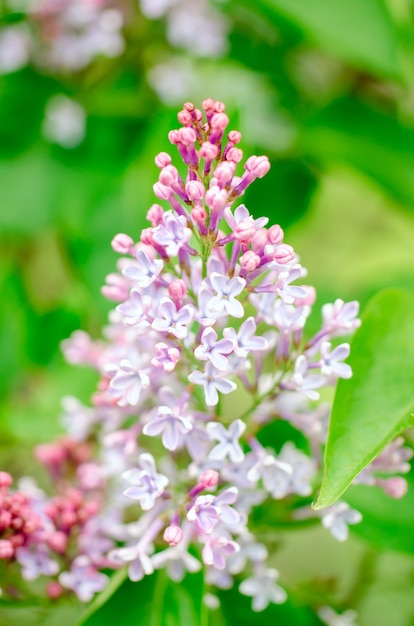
(154, 601)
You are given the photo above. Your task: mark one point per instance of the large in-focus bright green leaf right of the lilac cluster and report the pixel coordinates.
(375, 405)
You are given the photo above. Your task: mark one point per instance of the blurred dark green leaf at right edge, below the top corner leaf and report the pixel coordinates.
(351, 132)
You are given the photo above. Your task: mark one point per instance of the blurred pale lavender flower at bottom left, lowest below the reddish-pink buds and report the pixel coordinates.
(83, 579)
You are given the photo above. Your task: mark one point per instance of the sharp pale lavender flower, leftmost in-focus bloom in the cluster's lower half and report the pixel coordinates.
(147, 485)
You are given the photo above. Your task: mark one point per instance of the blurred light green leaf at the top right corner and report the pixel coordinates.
(361, 33)
